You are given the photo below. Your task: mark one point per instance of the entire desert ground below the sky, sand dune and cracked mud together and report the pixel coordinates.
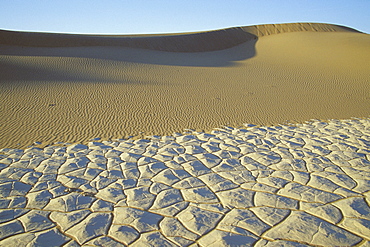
(70, 177)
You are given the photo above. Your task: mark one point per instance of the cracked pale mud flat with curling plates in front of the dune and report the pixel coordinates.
(288, 185)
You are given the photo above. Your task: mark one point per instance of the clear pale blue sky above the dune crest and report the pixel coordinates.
(169, 16)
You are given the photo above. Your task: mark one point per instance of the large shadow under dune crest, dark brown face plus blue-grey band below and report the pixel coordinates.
(217, 48)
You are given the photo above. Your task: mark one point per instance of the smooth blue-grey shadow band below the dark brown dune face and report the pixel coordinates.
(219, 58)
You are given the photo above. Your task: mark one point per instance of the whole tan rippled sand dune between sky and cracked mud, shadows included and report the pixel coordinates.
(72, 88)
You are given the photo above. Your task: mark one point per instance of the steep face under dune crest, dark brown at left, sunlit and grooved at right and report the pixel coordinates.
(187, 42)
